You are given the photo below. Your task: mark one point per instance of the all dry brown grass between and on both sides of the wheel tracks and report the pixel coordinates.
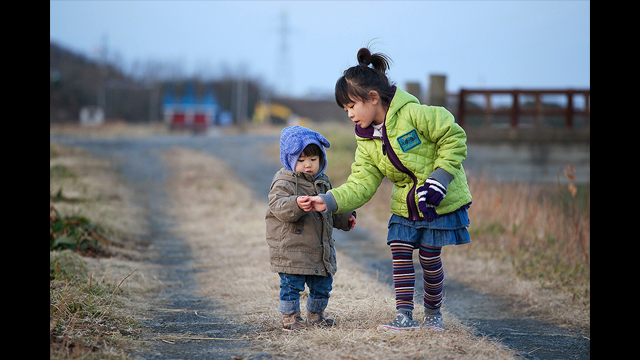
(527, 245)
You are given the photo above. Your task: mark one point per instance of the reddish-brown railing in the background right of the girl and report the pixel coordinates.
(516, 110)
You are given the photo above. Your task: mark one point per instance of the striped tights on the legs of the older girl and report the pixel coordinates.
(404, 274)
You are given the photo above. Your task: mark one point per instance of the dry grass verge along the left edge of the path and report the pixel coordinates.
(94, 302)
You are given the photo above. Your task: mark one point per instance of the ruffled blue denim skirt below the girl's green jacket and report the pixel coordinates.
(450, 229)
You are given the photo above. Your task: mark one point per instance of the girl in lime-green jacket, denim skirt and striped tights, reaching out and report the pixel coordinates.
(420, 149)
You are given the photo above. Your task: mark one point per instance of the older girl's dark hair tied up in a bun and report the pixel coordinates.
(357, 81)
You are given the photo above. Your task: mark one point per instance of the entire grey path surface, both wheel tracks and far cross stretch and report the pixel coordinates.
(181, 313)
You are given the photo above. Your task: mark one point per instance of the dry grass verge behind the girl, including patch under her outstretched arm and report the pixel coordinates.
(512, 252)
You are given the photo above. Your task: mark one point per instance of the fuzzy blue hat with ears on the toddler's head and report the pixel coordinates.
(294, 139)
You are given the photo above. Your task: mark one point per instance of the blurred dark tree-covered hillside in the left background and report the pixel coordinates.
(76, 81)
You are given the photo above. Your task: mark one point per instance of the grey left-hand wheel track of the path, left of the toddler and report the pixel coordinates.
(177, 312)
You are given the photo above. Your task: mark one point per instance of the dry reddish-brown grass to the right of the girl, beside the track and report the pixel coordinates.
(540, 243)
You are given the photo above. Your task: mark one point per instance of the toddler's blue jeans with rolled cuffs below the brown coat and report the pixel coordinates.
(291, 285)
